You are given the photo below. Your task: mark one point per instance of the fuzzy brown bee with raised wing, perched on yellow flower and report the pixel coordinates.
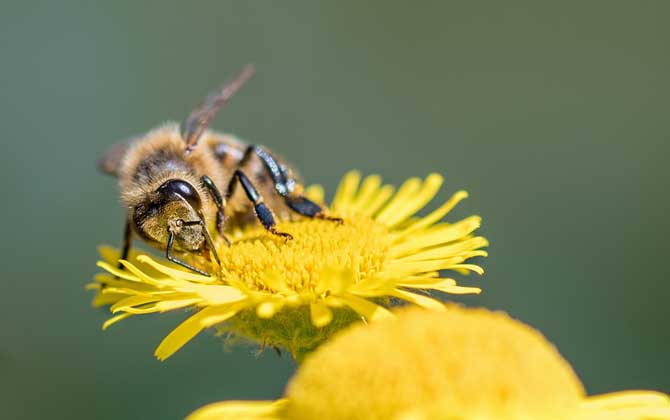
(178, 185)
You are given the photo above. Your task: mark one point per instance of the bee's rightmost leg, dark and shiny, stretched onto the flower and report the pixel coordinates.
(284, 186)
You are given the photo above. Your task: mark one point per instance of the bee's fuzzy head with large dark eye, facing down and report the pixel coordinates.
(174, 207)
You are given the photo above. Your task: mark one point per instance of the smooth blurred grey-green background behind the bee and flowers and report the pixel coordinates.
(553, 117)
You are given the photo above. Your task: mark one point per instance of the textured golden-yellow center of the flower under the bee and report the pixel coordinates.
(359, 244)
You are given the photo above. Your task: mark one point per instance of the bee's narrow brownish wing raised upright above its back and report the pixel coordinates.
(202, 115)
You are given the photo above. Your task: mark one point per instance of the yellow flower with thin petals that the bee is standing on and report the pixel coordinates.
(295, 294)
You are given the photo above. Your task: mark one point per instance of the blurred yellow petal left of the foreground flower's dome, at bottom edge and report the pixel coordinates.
(240, 410)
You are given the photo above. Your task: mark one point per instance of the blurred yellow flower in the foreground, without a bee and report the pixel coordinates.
(426, 365)
